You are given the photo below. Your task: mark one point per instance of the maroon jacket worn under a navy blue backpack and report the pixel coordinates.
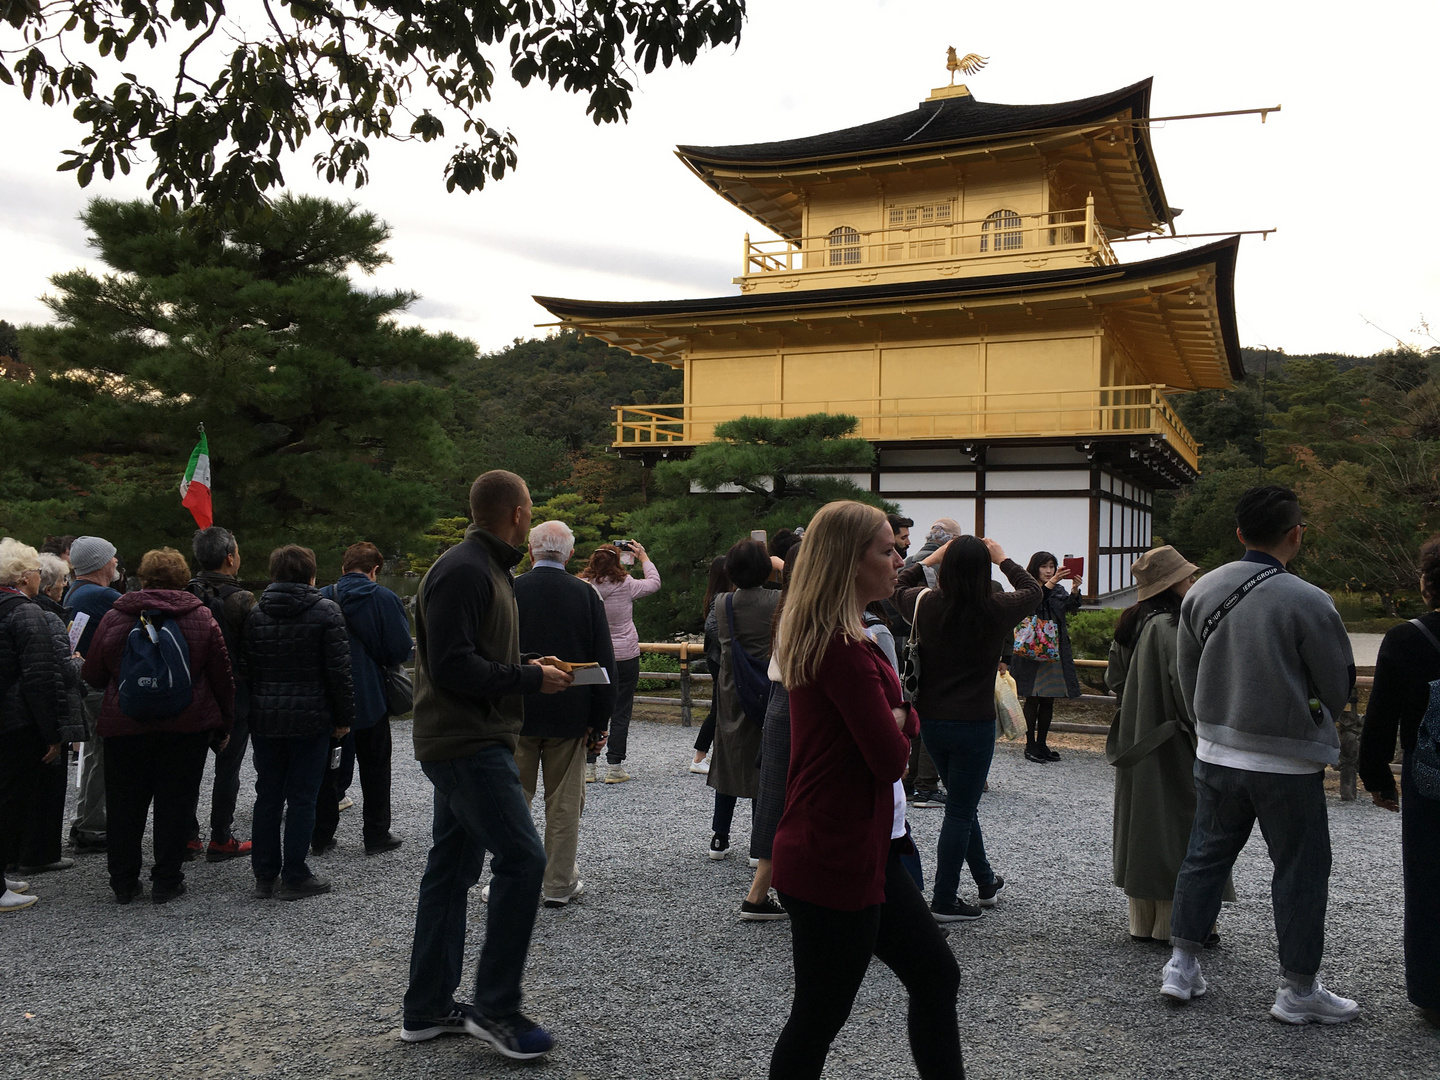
(212, 706)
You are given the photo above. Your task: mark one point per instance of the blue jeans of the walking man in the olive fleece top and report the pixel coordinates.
(479, 809)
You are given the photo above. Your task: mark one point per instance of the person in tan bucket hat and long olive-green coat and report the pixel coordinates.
(1153, 745)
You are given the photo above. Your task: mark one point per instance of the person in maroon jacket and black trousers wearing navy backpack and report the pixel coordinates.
(159, 760)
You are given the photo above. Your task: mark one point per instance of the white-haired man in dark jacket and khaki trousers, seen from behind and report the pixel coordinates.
(562, 617)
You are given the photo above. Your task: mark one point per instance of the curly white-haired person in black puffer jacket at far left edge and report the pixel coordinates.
(32, 702)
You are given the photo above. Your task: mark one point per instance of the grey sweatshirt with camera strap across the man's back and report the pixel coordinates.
(1251, 686)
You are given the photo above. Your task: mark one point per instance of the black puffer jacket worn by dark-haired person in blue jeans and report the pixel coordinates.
(297, 654)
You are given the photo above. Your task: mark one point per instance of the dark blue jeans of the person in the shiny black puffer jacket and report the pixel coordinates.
(287, 781)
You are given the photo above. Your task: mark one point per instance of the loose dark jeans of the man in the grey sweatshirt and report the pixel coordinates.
(1297, 832)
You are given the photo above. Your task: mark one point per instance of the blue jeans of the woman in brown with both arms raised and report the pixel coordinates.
(963, 752)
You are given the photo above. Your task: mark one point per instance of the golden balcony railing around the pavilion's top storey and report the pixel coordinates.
(981, 238)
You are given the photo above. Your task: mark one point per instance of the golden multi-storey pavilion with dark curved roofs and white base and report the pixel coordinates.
(948, 277)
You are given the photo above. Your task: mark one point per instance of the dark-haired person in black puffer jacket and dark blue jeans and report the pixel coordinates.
(302, 696)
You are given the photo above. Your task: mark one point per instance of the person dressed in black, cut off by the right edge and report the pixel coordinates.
(1403, 703)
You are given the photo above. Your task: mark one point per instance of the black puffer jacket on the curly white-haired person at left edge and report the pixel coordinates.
(32, 680)
